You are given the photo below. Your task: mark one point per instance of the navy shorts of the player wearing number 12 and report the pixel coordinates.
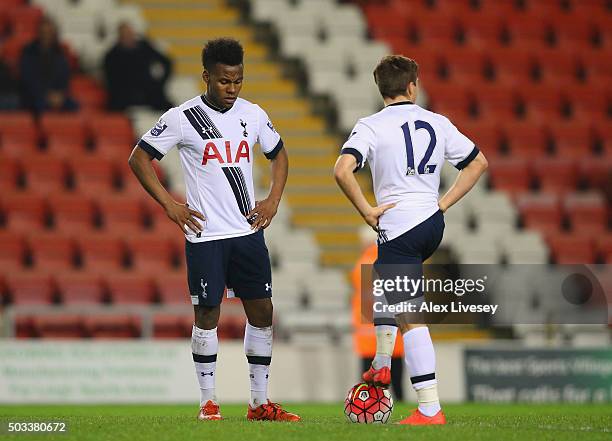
(404, 255)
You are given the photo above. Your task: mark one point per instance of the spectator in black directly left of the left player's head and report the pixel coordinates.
(136, 73)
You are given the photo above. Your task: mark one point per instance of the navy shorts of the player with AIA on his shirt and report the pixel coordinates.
(240, 263)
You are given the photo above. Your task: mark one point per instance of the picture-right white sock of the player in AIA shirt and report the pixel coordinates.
(258, 350)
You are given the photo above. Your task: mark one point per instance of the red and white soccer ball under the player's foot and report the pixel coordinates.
(368, 404)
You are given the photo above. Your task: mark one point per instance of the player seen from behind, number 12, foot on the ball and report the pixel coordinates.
(406, 147)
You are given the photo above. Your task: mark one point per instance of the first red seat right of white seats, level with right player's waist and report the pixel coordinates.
(540, 211)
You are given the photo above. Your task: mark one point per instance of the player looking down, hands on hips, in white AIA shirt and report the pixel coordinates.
(215, 134)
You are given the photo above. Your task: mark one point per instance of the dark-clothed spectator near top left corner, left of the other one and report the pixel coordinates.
(45, 72)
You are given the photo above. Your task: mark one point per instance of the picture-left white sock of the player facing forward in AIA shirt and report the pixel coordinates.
(204, 345)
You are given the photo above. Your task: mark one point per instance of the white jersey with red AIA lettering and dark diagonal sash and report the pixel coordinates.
(216, 150)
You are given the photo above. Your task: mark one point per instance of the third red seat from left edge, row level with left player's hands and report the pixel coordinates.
(122, 215)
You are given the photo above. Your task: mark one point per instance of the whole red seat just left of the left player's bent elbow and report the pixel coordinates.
(93, 175)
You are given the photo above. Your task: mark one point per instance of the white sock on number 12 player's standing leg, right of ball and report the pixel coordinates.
(420, 360)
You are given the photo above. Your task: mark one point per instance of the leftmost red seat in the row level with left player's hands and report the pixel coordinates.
(24, 212)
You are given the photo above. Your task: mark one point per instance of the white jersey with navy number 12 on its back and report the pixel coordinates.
(406, 146)
